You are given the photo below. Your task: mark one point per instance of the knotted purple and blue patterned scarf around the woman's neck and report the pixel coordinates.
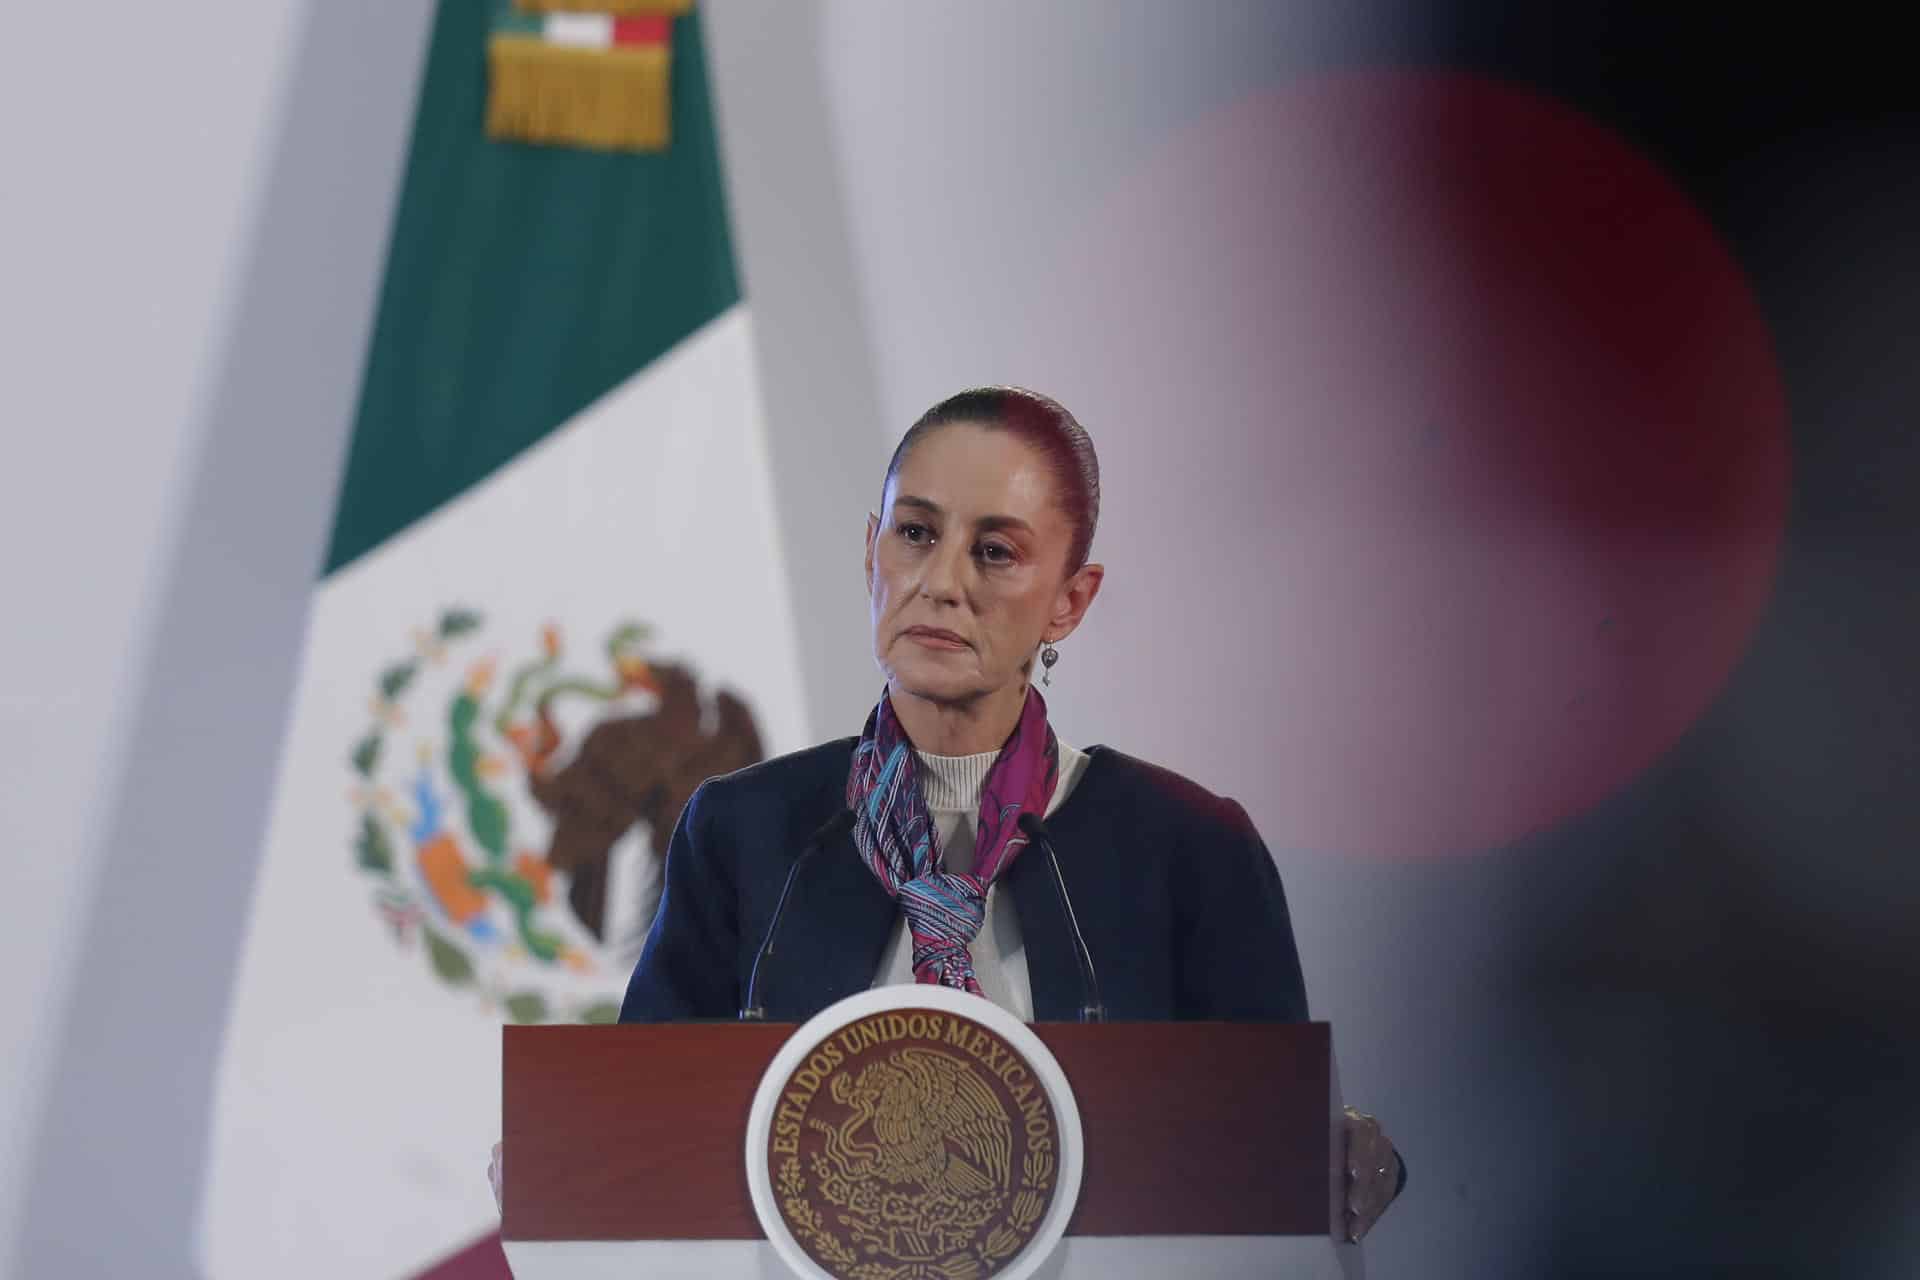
(896, 834)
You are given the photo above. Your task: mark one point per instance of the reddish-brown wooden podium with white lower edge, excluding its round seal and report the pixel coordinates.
(1212, 1150)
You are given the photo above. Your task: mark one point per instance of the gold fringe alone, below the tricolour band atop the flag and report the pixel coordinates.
(606, 99)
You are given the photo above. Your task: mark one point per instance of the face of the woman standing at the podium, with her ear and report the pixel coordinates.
(967, 567)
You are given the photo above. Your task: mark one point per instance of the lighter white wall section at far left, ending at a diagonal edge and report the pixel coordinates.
(126, 222)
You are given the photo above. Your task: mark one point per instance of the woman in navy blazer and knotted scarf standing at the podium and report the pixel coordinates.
(978, 565)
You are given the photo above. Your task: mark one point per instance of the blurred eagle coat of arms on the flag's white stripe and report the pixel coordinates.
(514, 817)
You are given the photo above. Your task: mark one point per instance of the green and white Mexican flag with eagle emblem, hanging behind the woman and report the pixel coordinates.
(554, 604)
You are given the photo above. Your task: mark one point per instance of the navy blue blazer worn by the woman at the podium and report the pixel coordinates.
(1176, 895)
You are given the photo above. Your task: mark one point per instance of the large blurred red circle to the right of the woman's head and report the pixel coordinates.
(1483, 419)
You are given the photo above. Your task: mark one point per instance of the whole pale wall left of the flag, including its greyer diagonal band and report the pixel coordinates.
(195, 210)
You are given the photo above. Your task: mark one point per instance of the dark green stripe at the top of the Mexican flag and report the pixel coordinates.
(521, 285)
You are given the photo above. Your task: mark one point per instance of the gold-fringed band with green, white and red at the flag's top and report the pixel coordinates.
(590, 74)
